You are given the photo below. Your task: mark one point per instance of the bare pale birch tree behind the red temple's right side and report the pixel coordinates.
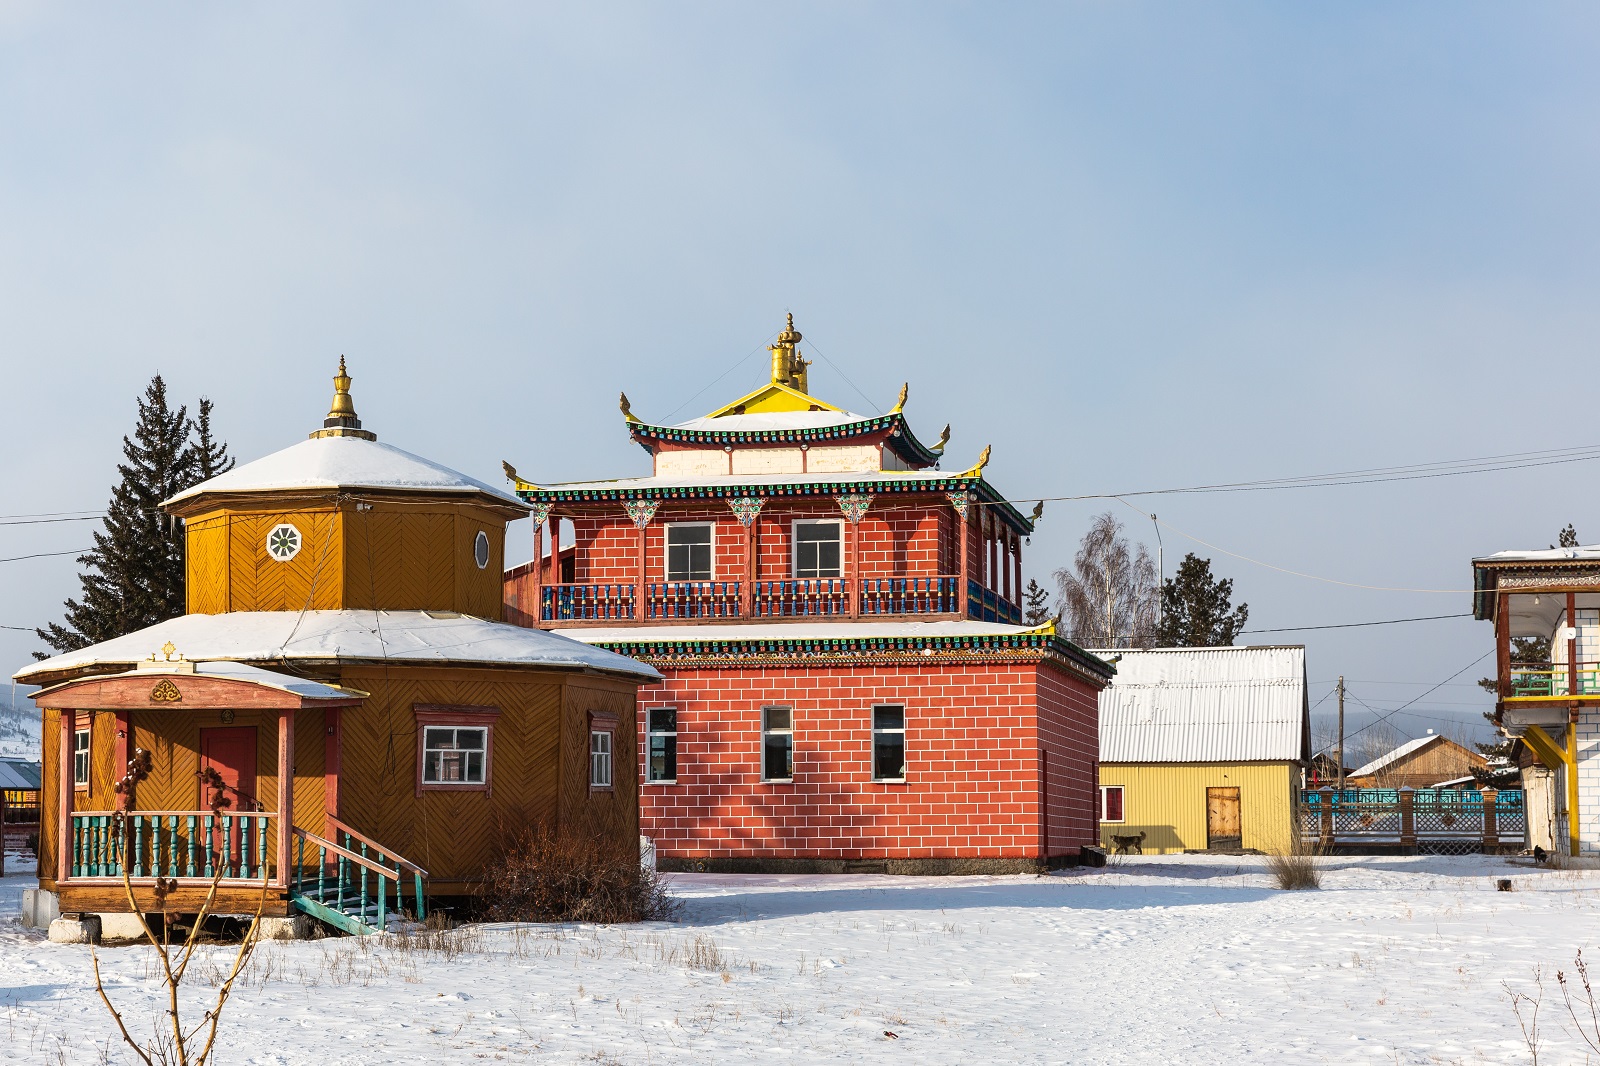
(1111, 596)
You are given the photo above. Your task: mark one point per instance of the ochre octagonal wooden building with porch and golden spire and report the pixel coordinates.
(342, 718)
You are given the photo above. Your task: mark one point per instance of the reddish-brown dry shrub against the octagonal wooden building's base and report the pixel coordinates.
(562, 878)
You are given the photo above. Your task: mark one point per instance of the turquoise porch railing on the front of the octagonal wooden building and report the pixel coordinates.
(182, 844)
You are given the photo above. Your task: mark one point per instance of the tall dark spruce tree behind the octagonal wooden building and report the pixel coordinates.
(135, 574)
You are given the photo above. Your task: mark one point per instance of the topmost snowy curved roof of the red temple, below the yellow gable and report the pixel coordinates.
(790, 428)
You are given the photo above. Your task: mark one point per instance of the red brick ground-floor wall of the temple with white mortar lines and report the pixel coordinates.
(972, 756)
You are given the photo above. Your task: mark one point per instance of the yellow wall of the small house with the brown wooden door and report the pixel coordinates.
(1167, 803)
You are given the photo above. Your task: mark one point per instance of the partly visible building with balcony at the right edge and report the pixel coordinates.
(1546, 612)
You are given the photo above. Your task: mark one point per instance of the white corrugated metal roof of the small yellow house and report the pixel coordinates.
(1206, 705)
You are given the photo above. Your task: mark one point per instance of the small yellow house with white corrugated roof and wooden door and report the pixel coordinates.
(1204, 748)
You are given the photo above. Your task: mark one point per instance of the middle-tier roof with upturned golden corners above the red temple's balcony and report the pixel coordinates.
(785, 486)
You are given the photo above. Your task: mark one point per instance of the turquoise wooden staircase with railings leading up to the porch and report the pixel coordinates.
(353, 883)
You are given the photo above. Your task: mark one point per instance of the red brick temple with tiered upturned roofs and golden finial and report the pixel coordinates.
(847, 684)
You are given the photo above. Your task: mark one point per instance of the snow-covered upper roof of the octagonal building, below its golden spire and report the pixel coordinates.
(345, 463)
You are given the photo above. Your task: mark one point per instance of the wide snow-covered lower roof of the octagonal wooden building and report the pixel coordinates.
(345, 636)
